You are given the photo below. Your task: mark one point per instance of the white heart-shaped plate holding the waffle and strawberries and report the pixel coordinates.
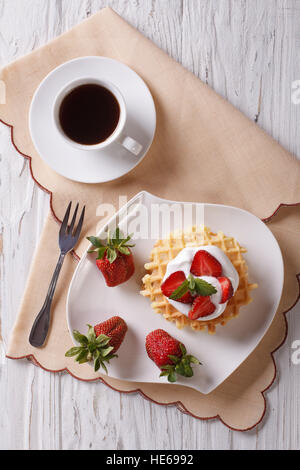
(91, 301)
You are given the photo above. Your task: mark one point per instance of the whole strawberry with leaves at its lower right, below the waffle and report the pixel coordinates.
(169, 355)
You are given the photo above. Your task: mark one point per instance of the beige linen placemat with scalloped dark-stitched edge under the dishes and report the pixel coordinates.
(204, 150)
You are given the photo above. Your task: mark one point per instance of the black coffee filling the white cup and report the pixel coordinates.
(89, 114)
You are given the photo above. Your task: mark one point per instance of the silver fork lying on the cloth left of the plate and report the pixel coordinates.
(68, 237)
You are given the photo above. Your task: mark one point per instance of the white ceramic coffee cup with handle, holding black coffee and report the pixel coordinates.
(118, 135)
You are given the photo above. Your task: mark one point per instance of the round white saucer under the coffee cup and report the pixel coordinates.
(92, 166)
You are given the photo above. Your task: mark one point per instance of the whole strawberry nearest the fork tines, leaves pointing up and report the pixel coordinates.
(115, 259)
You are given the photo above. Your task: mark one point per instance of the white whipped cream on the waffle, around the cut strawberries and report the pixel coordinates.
(183, 262)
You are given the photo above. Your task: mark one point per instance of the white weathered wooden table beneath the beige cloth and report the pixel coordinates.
(247, 50)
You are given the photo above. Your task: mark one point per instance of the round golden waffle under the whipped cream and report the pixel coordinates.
(167, 249)
